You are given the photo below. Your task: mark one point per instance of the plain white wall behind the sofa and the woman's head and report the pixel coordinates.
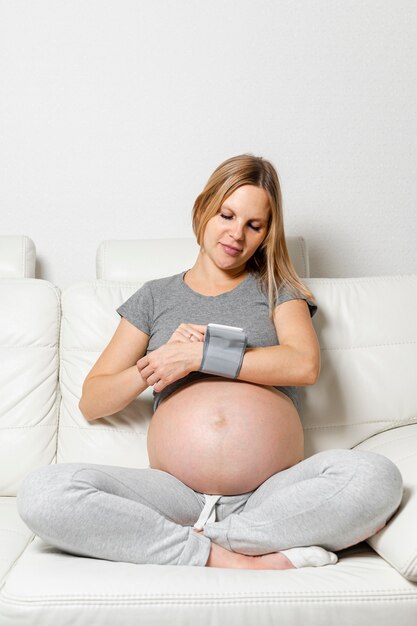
(113, 113)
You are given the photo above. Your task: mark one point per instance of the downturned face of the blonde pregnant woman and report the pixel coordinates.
(234, 234)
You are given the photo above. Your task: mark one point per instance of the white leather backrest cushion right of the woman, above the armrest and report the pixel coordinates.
(367, 329)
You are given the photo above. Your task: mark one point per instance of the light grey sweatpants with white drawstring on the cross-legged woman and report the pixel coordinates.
(333, 499)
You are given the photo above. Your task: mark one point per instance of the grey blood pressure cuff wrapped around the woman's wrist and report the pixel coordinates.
(223, 351)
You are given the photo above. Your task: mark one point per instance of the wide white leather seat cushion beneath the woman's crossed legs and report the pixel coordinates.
(50, 587)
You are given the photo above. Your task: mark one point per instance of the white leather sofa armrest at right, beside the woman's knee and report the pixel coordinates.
(397, 541)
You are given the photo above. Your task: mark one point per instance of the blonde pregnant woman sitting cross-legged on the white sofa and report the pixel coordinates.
(224, 345)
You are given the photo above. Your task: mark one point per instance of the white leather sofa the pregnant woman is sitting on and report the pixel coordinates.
(366, 397)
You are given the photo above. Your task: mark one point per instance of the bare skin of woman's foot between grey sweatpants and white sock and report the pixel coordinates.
(220, 557)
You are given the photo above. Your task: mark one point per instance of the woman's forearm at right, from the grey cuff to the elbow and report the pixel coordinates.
(279, 365)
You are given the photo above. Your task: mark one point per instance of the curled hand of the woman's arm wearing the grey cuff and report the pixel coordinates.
(170, 362)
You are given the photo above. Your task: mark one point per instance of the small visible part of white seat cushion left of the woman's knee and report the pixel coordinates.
(14, 535)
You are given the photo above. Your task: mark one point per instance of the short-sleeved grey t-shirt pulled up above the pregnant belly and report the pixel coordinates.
(161, 305)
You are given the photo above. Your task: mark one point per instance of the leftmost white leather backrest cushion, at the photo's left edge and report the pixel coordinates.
(29, 363)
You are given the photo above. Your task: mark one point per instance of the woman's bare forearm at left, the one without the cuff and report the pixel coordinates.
(106, 394)
